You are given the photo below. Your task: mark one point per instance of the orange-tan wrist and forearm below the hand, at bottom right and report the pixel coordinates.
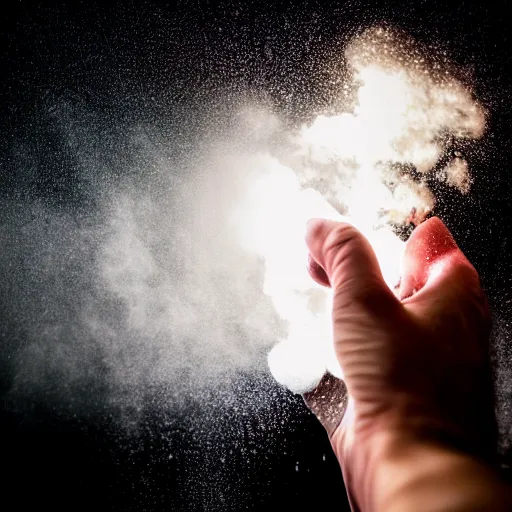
(398, 476)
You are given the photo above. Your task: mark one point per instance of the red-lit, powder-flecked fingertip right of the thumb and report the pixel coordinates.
(429, 246)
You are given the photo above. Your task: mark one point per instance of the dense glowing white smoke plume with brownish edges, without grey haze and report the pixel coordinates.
(371, 163)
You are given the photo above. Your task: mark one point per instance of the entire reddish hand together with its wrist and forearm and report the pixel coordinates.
(419, 432)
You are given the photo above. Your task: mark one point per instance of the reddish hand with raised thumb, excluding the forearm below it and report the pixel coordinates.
(415, 361)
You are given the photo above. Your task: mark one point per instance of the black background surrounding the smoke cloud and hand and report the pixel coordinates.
(164, 64)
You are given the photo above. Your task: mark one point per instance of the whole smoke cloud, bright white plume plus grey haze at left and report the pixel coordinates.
(186, 268)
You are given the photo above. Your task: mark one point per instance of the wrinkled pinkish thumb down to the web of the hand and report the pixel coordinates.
(340, 256)
